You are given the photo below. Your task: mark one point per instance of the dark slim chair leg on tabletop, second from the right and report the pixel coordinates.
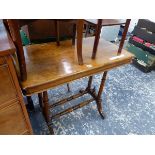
(97, 37)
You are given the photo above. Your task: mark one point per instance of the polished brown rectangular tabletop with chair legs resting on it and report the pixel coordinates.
(49, 65)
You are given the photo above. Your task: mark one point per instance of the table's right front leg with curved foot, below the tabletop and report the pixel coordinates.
(99, 101)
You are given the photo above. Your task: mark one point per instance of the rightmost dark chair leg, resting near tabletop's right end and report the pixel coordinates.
(124, 36)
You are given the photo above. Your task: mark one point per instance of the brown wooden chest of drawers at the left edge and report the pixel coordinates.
(13, 115)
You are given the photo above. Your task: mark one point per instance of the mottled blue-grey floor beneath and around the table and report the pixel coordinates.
(128, 101)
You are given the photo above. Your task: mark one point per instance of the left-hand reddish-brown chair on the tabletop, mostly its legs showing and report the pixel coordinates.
(14, 27)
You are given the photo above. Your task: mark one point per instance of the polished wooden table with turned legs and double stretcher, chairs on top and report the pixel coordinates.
(49, 65)
